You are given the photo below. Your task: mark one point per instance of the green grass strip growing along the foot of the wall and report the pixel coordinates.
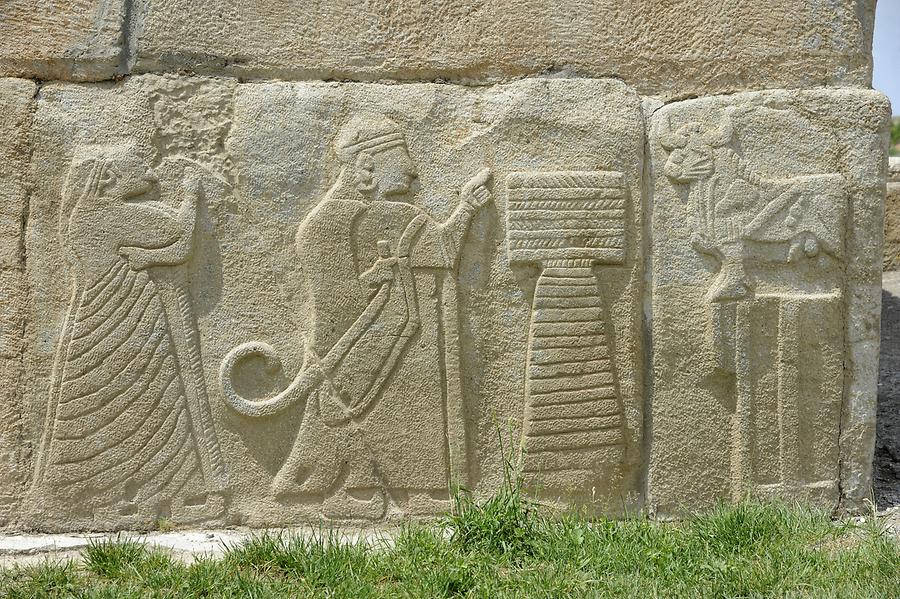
(507, 546)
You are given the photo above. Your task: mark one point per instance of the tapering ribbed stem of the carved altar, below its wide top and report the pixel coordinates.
(572, 404)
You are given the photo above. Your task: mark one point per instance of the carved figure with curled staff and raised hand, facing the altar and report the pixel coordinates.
(372, 263)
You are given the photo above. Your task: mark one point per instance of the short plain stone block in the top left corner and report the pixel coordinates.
(62, 39)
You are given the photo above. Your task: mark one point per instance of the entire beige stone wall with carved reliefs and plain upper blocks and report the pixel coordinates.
(275, 262)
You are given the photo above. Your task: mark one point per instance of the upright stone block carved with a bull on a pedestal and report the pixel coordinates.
(767, 228)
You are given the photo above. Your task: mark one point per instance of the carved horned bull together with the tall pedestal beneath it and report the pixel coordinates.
(773, 239)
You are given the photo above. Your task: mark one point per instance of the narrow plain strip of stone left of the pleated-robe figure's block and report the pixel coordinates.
(16, 106)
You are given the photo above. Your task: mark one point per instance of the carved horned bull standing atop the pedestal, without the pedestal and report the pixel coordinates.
(734, 207)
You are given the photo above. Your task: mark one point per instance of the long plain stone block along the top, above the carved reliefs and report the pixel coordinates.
(674, 48)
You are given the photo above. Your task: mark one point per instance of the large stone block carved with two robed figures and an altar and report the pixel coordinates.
(281, 302)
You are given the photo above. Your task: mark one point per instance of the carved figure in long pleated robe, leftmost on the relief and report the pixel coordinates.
(120, 438)
